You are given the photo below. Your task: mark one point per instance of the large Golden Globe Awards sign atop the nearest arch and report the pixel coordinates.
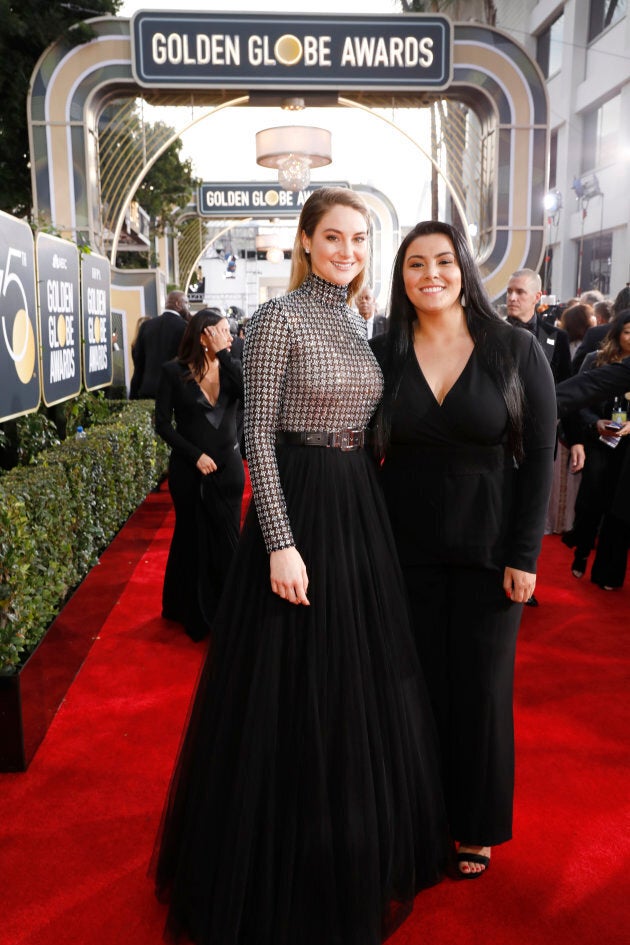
(249, 51)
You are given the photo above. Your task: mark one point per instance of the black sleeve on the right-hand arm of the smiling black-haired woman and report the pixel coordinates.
(534, 475)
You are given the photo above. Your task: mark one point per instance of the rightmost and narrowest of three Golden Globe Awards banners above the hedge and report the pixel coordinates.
(97, 321)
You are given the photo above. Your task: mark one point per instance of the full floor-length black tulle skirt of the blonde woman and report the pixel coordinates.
(305, 807)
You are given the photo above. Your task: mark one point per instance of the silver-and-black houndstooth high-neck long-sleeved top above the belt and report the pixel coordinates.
(307, 366)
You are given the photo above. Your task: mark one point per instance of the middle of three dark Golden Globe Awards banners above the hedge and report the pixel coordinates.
(60, 329)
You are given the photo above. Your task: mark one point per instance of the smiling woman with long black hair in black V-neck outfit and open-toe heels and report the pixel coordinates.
(467, 430)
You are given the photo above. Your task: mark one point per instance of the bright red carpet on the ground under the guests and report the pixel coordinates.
(77, 828)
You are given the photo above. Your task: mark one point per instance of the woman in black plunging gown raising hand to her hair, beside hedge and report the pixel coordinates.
(195, 412)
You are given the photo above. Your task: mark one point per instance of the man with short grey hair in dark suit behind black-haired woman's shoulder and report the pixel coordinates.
(523, 293)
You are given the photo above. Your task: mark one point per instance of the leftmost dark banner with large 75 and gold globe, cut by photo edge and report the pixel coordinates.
(19, 370)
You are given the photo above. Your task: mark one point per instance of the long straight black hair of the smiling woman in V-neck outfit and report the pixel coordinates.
(489, 332)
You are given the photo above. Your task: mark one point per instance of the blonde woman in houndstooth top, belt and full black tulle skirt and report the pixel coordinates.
(305, 807)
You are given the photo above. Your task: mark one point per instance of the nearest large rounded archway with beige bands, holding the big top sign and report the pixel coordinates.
(490, 74)
